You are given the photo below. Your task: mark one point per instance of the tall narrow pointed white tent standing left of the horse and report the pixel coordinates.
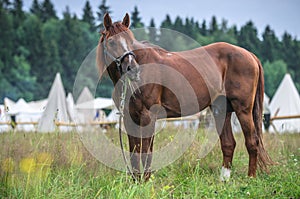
(56, 109)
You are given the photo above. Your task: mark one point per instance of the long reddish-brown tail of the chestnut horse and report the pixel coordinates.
(264, 160)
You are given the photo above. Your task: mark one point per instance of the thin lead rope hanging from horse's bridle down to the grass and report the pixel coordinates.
(122, 104)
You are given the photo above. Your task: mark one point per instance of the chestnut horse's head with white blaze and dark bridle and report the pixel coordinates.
(117, 48)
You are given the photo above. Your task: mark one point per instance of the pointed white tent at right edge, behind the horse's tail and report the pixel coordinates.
(285, 102)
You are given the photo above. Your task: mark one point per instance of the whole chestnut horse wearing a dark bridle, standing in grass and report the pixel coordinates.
(236, 75)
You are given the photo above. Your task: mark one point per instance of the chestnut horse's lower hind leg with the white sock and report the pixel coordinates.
(227, 144)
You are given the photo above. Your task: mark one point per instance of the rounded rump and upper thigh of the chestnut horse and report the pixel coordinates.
(239, 67)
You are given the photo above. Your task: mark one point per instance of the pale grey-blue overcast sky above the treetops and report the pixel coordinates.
(281, 15)
